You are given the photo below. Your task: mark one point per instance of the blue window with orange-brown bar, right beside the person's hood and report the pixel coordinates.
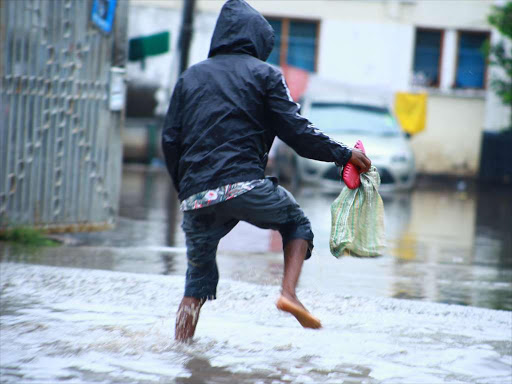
(295, 43)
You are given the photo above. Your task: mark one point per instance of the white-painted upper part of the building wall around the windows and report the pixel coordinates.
(361, 42)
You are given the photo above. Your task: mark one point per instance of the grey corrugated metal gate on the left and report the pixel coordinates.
(60, 144)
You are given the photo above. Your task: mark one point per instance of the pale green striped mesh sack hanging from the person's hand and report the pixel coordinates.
(357, 219)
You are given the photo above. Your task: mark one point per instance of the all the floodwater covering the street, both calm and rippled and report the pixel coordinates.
(101, 308)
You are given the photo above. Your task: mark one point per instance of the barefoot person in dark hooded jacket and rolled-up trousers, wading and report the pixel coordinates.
(223, 117)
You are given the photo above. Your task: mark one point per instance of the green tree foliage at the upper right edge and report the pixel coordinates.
(501, 53)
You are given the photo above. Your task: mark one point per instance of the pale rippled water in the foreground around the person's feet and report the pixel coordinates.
(75, 325)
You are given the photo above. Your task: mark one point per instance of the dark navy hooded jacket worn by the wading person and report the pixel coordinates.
(226, 111)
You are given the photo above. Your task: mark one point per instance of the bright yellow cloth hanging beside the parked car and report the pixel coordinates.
(411, 111)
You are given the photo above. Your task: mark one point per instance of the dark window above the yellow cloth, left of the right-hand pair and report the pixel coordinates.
(427, 57)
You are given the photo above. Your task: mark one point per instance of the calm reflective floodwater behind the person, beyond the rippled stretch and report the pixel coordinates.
(445, 245)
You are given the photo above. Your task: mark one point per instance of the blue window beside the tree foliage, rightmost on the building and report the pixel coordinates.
(471, 60)
